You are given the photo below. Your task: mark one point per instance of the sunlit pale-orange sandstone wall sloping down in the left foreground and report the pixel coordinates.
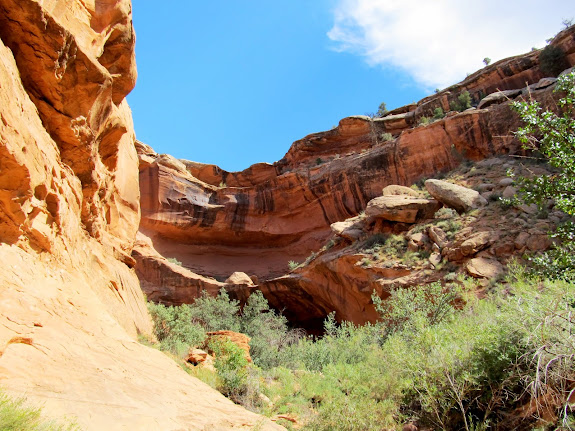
(70, 302)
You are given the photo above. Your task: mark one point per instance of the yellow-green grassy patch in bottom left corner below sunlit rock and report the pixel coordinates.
(17, 415)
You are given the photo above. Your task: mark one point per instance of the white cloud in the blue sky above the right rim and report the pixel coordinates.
(438, 41)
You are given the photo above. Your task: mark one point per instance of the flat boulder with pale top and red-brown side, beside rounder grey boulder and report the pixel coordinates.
(405, 209)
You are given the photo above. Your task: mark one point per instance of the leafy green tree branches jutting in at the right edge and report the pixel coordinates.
(553, 135)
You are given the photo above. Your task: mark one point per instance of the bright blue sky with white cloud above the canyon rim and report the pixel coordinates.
(235, 83)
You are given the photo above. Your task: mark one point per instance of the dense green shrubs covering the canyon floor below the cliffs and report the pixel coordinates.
(438, 356)
